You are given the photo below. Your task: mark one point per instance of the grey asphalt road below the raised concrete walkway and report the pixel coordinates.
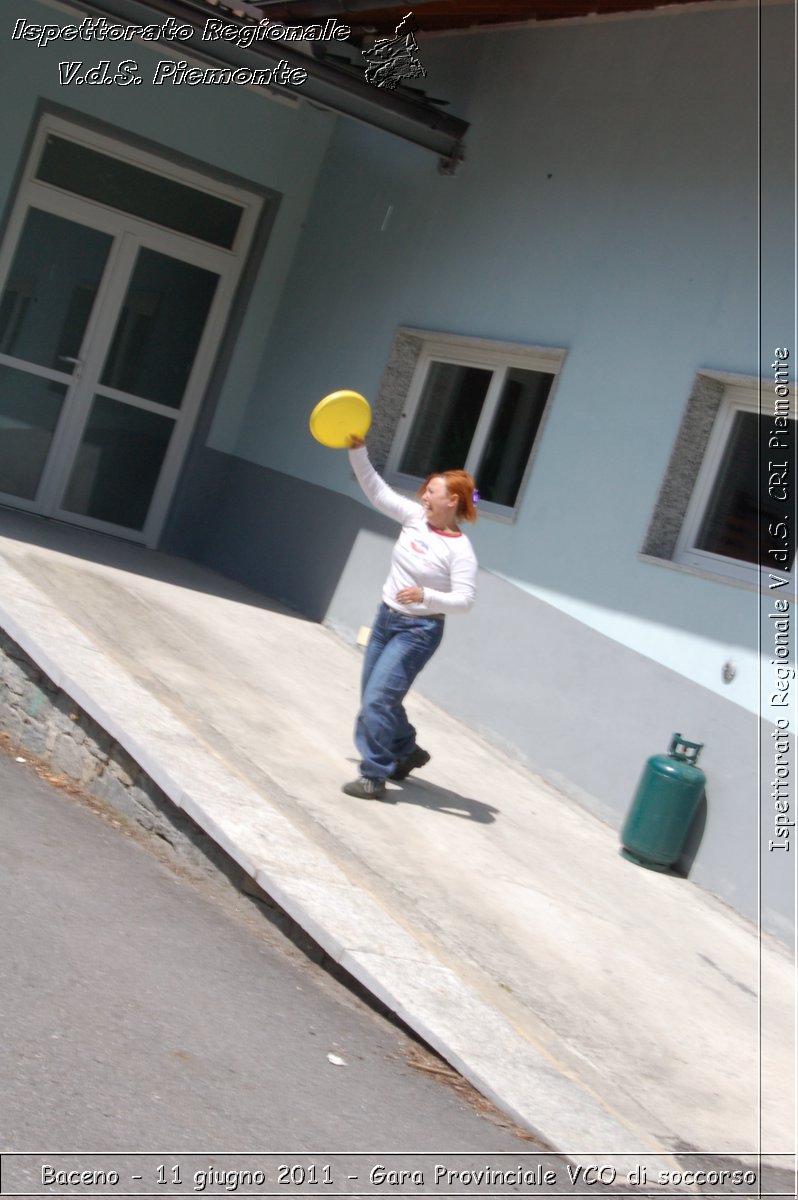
(161, 1019)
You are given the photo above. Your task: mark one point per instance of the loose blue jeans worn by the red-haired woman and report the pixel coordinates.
(398, 650)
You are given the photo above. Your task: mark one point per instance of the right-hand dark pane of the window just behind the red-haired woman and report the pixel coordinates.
(513, 435)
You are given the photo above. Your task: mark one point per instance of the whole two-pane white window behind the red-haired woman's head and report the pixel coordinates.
(471, 405)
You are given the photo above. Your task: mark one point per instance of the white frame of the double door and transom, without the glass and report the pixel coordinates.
(130, 235)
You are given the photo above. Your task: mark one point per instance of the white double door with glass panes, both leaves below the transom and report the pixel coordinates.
(109, 327)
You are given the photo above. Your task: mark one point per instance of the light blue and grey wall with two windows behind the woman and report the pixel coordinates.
(608, 206)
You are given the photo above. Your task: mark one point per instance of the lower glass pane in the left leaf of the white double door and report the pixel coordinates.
(29, 412)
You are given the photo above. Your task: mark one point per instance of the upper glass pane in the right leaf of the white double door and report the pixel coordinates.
(159, 329)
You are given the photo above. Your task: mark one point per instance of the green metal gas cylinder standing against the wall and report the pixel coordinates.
(658, 824)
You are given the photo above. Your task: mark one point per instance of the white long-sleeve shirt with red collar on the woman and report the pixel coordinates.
(443, 565)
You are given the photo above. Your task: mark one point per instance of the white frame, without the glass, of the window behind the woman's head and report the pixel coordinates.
(470, 352)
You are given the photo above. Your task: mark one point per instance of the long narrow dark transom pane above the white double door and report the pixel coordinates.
(143, 194)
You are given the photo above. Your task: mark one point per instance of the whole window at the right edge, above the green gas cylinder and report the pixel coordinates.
(736, 482)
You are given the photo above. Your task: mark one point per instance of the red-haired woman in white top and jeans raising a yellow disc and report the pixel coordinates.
(434, 573)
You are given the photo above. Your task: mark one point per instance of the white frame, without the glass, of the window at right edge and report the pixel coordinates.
(740, 397)
